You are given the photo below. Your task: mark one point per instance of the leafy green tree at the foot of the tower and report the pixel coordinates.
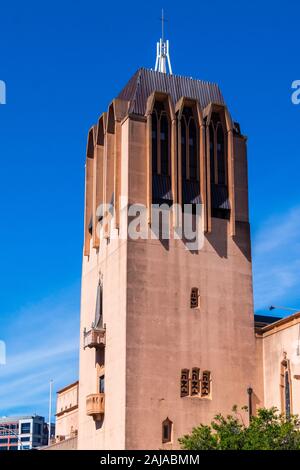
(268, 430)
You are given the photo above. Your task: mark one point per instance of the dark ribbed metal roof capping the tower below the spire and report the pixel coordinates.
(144, 82)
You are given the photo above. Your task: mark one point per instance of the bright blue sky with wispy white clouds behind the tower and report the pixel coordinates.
(62, 63)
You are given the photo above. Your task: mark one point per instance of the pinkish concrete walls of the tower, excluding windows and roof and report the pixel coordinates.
(151, 332)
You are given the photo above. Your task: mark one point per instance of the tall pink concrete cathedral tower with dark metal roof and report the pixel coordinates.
(167, 335)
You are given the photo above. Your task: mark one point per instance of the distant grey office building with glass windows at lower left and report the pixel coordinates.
(23, 432)
